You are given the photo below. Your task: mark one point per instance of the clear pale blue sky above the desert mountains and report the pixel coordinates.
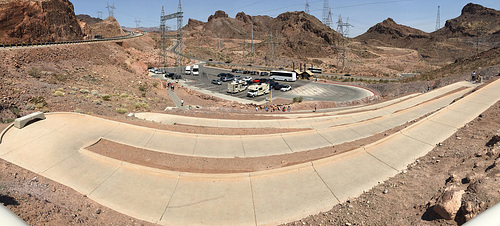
(363, 14)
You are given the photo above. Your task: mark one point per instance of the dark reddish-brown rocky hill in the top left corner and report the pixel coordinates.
(38, 21)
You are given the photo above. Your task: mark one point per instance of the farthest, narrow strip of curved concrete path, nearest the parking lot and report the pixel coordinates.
(310, 120)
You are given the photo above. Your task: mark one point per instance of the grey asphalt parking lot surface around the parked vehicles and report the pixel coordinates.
(309, 90)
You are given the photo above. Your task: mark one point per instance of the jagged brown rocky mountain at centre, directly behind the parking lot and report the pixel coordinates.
(297, 33)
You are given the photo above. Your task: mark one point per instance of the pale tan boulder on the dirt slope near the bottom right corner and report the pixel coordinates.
(449, 203)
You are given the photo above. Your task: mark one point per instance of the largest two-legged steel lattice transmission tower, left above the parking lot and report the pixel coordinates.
(179, 59)
